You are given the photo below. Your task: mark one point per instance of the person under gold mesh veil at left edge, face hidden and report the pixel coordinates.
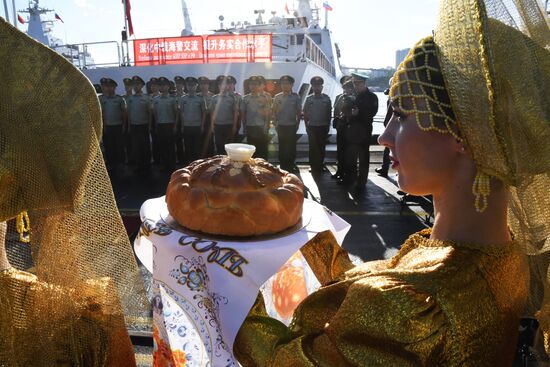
(68, 294)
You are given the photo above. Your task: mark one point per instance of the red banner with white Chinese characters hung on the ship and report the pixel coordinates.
(199, 49)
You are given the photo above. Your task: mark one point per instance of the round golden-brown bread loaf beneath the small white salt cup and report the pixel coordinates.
(233, 198)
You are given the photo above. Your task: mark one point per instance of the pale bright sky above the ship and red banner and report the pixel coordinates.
(367, 31)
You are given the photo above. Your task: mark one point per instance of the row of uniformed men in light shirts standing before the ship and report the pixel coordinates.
(197, 117)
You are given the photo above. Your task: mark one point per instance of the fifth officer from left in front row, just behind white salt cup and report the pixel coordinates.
(224, 108)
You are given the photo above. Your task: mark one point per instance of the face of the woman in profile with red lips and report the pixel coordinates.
(426, 161)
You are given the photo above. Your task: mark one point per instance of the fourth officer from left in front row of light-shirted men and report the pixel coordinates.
(192, 115)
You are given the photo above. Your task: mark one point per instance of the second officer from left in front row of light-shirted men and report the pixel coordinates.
(139, 123)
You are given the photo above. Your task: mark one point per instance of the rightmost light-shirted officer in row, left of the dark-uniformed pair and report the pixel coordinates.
(317, 116)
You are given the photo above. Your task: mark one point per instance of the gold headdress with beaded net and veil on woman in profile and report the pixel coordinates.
(494, 59)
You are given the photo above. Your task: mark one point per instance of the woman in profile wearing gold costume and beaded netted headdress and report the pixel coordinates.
(471, 126)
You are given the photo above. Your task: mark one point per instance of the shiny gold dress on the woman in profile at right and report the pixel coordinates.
(434, 303)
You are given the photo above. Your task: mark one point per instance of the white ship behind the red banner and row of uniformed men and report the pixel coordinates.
(299, 47)
